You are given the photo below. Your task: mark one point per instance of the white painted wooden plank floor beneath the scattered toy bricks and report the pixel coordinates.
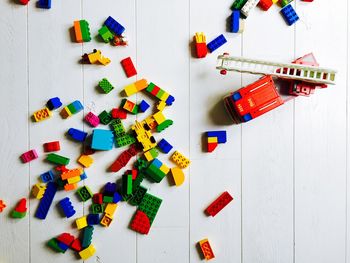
(287, 170)
